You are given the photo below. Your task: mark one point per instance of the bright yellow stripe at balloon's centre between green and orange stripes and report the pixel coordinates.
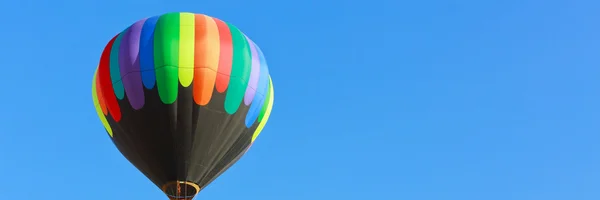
(186, 48)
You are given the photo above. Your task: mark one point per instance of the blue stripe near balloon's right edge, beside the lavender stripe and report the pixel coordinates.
(261, 90)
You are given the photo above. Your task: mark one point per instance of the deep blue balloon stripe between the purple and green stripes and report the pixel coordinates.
(147, 52)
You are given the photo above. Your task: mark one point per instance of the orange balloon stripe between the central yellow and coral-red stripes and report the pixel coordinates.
(206, 58)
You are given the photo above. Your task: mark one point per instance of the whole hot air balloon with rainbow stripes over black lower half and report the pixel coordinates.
(182, 96)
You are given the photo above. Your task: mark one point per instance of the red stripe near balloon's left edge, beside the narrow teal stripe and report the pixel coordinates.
(108, 93)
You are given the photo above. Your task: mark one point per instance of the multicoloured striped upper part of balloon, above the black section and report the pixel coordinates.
(184, 49)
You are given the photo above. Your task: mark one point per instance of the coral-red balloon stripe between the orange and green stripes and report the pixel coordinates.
(226, 56)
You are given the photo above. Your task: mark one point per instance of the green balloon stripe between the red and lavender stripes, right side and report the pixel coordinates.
(240, 70)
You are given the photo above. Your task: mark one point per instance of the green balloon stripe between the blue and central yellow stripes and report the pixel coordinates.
(166, 56)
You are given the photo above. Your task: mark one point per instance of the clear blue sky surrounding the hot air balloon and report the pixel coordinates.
(375, 100)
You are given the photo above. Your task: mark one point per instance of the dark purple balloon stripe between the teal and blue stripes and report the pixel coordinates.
(130, 65)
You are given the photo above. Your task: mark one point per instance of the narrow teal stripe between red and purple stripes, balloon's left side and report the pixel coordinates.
(115, 73)
